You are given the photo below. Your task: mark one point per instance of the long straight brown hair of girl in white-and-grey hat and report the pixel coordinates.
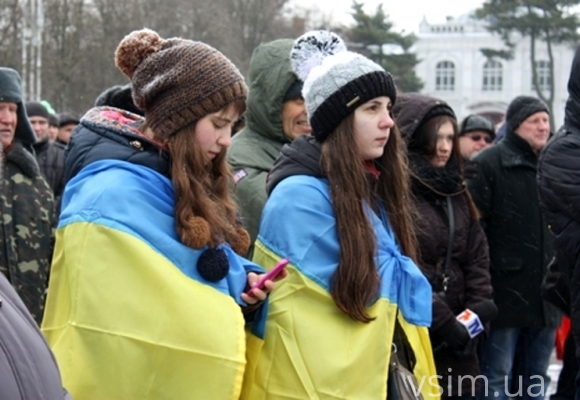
(355, 284)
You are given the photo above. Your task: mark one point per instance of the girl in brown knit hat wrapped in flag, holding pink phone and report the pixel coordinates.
(146, 297)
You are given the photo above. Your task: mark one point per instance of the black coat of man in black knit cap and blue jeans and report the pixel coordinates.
(521, 246)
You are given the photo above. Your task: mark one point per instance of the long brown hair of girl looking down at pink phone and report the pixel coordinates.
(201, 188)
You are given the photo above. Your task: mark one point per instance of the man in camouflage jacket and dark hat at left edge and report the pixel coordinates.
(26, 202)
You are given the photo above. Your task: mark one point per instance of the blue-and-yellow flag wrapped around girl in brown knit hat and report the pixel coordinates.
(128, 316)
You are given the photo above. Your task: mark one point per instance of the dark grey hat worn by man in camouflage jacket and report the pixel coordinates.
(11, 91)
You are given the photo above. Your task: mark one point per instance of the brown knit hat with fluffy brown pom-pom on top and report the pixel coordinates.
(177, 81)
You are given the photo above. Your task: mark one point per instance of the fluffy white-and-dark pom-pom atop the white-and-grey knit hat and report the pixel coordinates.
(311, 49)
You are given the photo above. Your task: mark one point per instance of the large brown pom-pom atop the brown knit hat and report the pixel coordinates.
(134, 48)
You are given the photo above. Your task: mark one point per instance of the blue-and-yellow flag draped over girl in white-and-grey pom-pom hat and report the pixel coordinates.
(308, 348)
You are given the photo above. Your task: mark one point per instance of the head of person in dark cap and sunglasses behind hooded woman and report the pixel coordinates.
(475, 134)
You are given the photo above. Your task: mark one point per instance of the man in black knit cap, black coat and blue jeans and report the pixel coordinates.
(521, 247)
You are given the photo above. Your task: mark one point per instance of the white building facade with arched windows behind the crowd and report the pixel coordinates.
(454, 69)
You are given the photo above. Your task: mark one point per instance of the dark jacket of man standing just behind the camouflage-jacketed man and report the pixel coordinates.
(50, 158)
